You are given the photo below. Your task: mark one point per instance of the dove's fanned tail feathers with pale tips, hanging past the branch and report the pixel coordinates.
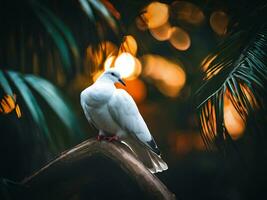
(151, 160)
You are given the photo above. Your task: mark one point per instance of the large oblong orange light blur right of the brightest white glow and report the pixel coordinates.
(167, 76)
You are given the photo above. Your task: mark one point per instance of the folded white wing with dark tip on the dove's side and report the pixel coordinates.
(125, 113)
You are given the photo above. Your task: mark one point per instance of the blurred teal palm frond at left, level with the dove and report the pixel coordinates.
(22, 85)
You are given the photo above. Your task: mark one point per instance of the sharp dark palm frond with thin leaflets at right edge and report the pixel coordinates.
(237, 73)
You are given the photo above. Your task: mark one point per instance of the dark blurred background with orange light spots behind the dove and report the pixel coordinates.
(51, 50)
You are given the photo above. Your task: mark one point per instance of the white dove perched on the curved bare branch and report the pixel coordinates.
(114, 113)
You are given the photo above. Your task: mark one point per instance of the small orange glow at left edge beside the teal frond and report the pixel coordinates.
(8, 104)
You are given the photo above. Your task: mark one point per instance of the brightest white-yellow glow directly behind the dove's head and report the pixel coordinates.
(128, 66)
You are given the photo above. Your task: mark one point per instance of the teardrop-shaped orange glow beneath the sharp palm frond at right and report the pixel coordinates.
(234, 124)
